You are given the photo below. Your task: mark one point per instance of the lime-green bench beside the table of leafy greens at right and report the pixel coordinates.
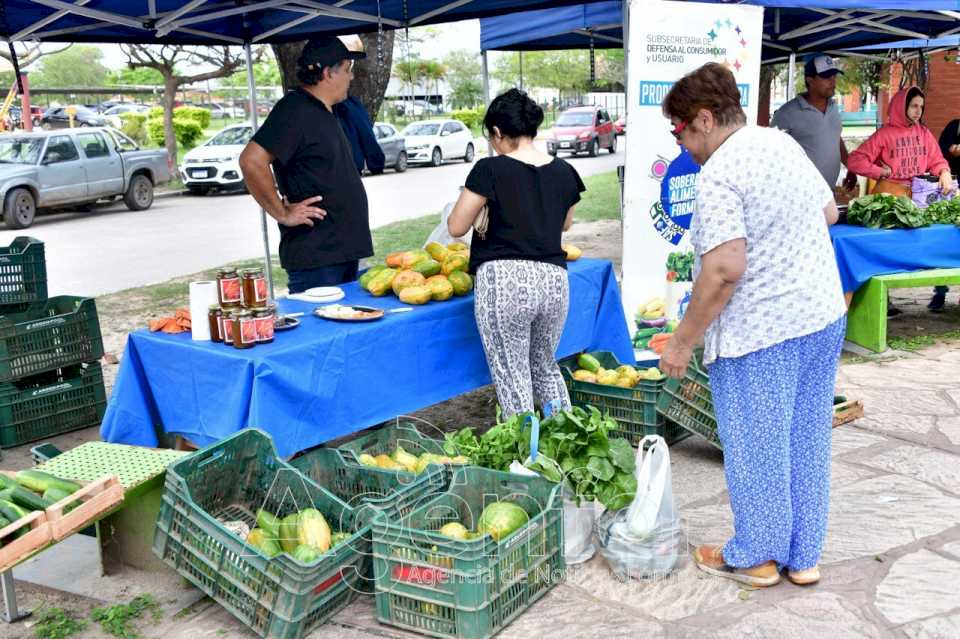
(867, 317)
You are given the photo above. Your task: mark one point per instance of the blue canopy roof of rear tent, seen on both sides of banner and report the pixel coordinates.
(819, 25)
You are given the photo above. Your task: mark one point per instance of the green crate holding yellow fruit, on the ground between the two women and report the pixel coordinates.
(634, 409)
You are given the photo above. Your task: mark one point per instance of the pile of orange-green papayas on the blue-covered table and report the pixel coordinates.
(435, 273)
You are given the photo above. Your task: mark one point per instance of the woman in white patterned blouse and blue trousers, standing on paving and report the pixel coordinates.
(768, 304)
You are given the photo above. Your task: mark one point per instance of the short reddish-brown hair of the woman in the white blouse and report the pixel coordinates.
(711, 87)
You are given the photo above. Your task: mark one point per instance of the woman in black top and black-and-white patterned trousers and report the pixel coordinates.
(522, 291)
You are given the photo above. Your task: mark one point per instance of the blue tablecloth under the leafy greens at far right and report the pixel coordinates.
(863, 253)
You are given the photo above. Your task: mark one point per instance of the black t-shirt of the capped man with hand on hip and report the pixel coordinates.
(313, 157)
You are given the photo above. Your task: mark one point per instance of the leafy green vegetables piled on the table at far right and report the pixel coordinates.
(885, 211)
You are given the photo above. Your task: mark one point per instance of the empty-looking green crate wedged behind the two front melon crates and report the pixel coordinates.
(370, 491)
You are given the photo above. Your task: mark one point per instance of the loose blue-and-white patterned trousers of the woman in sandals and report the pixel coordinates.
(774, 411)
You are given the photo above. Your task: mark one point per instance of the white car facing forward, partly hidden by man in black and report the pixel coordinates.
(215, 164)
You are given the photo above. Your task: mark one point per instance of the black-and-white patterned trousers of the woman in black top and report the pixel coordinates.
(520, 308)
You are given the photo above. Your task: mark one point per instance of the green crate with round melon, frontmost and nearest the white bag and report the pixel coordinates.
(437, 586)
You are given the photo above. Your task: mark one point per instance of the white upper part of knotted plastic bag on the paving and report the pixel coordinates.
(653, 506)
